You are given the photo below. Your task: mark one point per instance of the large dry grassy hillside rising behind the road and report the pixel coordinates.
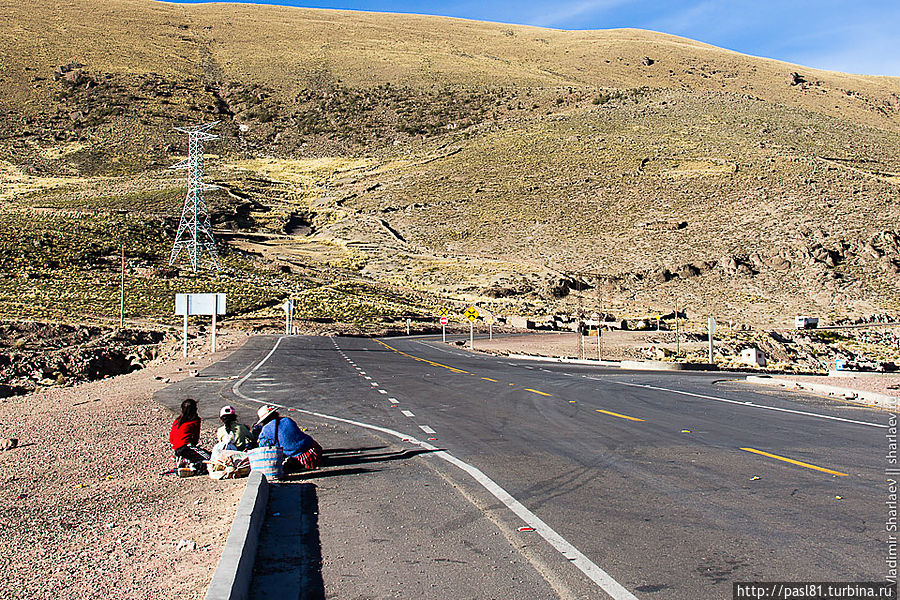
(434, 158)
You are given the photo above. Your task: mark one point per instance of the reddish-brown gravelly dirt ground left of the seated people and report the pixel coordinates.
(87, 512)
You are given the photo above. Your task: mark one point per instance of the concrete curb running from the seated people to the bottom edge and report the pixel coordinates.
(231, 581)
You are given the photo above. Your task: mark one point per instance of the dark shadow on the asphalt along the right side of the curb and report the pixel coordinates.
(289, 558)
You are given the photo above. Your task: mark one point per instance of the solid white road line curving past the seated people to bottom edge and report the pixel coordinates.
(613, 588)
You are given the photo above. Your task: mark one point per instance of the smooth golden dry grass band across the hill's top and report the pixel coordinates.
(290, 49)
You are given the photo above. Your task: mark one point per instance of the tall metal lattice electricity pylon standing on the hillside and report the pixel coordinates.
(195, 229)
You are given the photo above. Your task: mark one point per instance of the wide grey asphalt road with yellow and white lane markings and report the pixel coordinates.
(668, 484)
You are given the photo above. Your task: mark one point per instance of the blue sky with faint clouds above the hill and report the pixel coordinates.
(861, 36)
